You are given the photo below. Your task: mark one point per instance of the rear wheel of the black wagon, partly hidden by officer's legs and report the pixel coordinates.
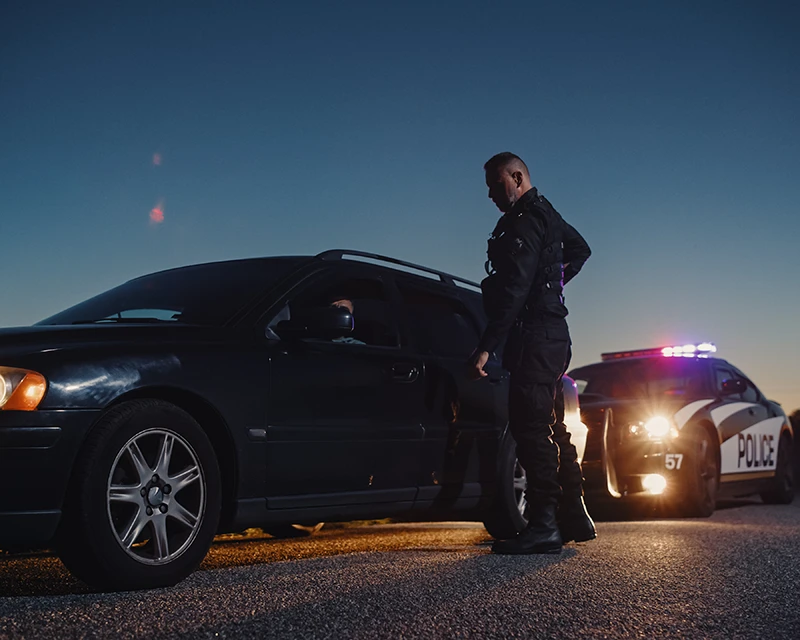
(506, 516)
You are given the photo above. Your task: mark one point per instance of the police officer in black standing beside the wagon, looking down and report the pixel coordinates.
(533, 253)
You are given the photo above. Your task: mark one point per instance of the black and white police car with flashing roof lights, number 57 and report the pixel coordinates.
(682, 427)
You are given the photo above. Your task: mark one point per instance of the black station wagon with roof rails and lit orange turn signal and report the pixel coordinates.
(266, 392)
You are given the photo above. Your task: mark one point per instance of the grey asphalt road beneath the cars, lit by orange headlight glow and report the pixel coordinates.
(735, 575)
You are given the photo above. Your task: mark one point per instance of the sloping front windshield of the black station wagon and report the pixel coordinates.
(209, 294)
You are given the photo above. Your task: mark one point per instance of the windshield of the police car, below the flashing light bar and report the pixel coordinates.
(645, 378)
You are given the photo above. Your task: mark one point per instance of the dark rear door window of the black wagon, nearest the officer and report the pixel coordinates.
(440, 324)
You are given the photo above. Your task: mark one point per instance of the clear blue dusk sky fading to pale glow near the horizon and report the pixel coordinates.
(666, 132)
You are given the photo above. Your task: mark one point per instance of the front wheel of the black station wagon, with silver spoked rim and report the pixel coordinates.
(143, 505)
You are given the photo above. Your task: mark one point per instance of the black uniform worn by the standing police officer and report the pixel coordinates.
(533, 253)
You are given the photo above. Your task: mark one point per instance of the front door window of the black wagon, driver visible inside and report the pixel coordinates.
(365, 297)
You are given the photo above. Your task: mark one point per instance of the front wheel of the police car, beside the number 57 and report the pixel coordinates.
(703, 482)
